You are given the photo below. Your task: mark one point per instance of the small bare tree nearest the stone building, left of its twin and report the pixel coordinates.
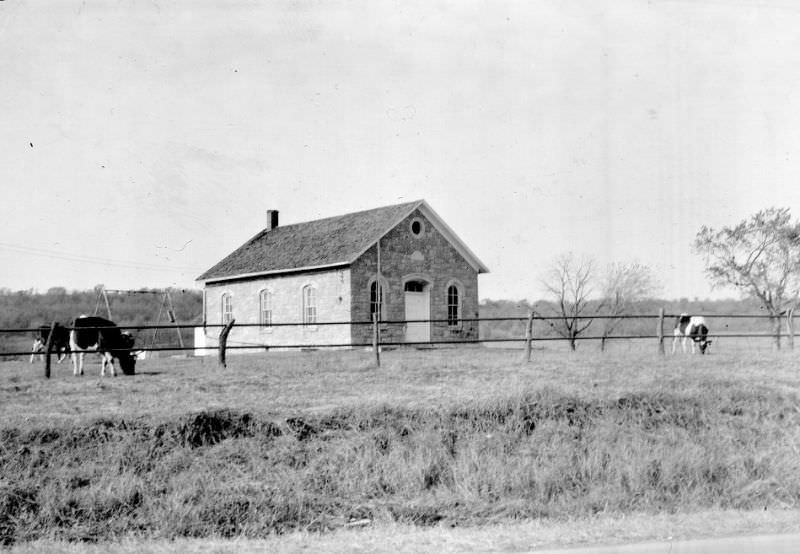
(569, 283)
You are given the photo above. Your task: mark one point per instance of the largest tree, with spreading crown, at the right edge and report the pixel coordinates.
(759, 256)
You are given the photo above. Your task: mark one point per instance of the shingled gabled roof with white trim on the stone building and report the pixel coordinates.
(330, 242)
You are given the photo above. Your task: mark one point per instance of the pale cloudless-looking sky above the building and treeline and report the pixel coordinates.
(142, 141)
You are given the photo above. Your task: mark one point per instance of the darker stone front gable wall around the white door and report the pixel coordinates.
(428, 257)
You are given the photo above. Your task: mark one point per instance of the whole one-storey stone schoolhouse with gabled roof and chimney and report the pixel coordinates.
(327, 271)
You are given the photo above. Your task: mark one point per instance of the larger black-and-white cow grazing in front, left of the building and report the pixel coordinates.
(95, 334)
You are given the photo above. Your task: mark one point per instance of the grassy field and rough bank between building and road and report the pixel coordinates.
(317, 441)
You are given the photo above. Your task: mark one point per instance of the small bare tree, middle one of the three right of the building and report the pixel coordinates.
(622, 286)
